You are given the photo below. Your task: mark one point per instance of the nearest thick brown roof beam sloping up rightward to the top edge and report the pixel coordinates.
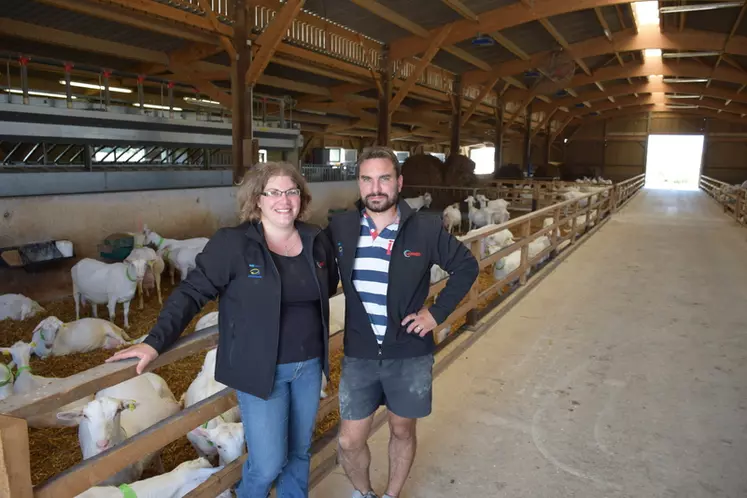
(495, 20)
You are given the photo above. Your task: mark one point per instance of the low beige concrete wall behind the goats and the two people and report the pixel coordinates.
(87, 219)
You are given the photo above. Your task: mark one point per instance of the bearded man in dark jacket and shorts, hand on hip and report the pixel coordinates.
(385, 251)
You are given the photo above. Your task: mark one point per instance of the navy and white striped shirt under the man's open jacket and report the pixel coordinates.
(371, 270)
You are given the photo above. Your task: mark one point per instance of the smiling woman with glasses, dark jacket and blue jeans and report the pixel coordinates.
(274, 276)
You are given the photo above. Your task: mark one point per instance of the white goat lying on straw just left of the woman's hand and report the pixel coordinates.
(53, 337)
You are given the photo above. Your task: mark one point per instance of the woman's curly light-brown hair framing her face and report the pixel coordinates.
(255, 181)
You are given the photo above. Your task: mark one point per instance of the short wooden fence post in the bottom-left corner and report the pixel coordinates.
(15, 467)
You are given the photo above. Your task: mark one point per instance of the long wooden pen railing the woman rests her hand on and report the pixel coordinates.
(15, 475)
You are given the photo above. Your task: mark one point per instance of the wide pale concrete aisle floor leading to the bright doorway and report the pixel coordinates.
(623, 374)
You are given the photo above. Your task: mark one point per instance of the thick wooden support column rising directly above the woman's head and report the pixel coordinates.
(241, 105)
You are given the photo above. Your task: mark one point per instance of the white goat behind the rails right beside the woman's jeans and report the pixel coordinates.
(202, 387)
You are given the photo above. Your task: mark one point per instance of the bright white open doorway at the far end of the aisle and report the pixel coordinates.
(673, 161)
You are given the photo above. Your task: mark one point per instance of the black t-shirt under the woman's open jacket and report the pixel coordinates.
(301, 329)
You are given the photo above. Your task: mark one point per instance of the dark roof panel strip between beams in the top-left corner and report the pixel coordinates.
(46, 15)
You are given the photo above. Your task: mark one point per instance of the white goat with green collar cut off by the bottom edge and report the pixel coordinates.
(175, 484)
